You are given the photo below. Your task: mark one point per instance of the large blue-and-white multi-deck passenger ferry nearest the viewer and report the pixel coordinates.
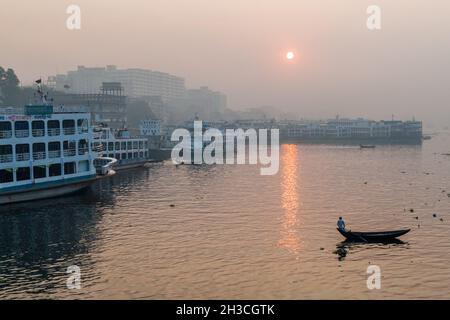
(45, 153)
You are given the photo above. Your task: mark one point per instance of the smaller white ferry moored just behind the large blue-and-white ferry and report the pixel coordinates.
(129, 152)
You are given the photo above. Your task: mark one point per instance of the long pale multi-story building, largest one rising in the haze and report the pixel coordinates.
(135, 82)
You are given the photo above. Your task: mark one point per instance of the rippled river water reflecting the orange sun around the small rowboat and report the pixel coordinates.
(228, 232)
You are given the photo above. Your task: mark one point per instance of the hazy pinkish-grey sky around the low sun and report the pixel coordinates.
(239, 46)
